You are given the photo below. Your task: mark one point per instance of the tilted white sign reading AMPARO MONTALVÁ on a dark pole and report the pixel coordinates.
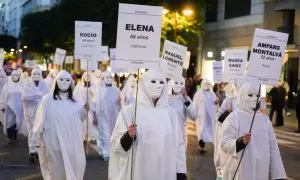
(268, 49)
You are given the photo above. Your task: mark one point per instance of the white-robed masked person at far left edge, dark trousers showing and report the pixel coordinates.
(11, 105)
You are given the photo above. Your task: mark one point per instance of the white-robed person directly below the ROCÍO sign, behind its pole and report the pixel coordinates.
(85, 92)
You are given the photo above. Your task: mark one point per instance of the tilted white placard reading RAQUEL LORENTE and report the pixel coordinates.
(174, 56)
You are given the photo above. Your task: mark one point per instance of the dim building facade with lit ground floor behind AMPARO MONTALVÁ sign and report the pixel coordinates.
(231, 24)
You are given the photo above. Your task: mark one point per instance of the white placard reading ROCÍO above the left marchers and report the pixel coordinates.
(88, 40)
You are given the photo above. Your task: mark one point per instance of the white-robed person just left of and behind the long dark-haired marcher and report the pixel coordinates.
(34, 89)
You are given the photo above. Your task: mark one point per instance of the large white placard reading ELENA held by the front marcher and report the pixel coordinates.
(138, 36)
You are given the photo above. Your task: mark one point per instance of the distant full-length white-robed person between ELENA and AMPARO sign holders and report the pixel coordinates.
(205, 101)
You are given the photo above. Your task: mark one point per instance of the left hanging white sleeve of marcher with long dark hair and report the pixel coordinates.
(39, 122)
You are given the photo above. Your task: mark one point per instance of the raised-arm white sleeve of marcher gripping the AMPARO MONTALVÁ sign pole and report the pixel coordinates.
(229, 135)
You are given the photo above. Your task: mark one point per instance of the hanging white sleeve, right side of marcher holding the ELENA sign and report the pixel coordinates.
(181, 156)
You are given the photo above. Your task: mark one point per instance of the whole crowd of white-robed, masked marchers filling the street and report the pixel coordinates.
(141, 134)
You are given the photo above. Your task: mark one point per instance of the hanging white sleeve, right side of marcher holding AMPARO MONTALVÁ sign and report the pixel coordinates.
(276, 166)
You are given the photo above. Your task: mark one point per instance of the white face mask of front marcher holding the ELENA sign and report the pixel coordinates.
(154, 87)
